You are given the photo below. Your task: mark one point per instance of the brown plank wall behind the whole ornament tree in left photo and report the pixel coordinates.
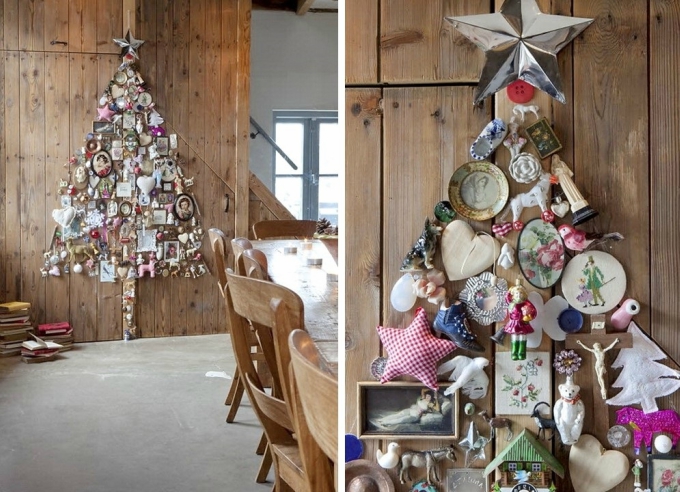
(195, 62)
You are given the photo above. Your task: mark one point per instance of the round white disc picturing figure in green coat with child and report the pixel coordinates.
(594, 282)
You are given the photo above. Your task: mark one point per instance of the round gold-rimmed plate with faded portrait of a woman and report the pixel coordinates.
(478, 190)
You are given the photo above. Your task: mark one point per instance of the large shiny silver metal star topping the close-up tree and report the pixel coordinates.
(520, 42)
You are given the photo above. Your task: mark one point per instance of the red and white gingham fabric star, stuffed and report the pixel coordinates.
(414, 351)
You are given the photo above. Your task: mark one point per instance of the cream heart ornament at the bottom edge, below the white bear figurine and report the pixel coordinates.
(588, 459)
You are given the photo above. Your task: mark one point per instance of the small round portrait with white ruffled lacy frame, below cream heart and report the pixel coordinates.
(486, 302)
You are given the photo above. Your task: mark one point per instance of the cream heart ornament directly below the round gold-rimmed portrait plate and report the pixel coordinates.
(465, 253)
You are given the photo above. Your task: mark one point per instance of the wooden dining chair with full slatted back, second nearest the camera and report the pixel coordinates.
(252, 300)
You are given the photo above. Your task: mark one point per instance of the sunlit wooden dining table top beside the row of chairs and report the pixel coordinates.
(317, 286)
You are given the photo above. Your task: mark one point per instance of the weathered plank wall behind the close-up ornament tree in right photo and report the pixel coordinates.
(409, 124)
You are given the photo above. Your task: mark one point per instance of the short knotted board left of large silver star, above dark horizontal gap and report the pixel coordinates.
(418, 45)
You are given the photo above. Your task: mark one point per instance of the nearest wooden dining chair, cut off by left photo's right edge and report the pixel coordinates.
(314, 395)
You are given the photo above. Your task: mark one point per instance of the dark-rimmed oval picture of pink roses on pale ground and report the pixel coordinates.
(540, 254)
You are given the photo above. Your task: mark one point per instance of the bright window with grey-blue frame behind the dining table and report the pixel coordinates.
(312, 141)
